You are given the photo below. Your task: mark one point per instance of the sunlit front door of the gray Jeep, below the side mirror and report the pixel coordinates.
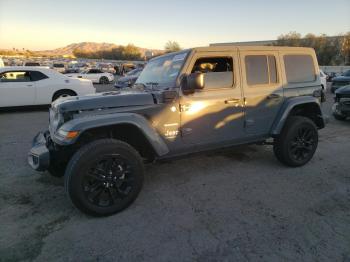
(213, 114)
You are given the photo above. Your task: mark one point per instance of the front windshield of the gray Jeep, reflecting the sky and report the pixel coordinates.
(162, 72)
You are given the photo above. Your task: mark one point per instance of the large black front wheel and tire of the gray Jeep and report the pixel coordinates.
(104, 177)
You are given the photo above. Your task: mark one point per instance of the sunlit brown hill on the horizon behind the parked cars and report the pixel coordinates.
(88, 47)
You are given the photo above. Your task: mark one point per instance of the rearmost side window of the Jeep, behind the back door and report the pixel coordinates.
(299, 68)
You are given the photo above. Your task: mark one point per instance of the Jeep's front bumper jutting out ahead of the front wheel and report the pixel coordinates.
(39, 154)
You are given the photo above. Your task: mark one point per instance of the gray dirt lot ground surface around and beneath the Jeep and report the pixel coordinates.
(237, 205)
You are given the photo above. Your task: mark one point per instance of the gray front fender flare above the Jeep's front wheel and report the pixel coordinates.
(85, 123)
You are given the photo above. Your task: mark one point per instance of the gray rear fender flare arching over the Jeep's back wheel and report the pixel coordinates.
(288, 106)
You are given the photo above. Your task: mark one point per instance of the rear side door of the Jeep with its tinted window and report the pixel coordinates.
(262, 88)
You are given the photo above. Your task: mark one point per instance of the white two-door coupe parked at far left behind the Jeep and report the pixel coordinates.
(24, 86)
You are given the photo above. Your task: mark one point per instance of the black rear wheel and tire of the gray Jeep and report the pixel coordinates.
(297, 143)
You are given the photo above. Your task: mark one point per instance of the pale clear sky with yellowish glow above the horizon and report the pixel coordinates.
(38, 25)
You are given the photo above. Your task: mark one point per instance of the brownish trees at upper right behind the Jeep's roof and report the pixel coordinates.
(329, 50)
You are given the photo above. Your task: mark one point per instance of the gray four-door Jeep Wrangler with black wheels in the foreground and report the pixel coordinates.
(185, 102)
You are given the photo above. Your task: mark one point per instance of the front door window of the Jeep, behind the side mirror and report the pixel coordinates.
(218, 71)
